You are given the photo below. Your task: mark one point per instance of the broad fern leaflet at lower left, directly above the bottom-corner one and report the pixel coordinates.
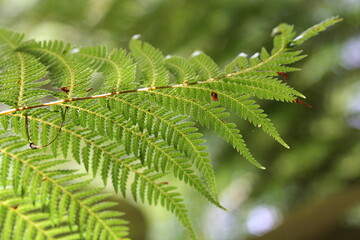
(60, 191)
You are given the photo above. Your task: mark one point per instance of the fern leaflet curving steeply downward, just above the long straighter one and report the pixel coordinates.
(172, 128)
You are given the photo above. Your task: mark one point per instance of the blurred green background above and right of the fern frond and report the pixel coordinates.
(311, 191)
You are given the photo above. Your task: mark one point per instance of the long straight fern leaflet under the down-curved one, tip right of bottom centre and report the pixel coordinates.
(150, 149)
